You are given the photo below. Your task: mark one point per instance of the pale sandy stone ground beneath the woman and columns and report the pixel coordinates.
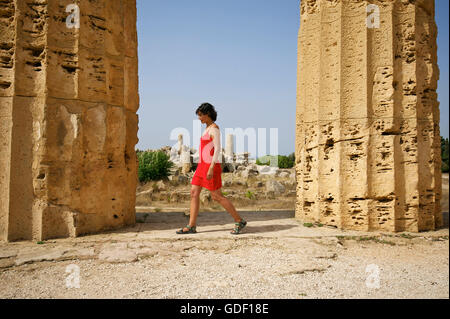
(275, 257)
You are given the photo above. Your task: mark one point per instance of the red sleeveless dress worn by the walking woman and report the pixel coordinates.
(199, 177)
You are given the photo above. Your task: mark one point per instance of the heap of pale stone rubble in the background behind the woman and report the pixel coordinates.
(259, 181)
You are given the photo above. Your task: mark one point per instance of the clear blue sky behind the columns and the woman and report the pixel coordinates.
(240, 56)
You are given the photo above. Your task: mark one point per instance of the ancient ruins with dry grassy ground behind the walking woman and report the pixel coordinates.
(250, 186)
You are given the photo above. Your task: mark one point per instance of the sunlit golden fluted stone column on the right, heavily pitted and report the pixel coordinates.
(367, 136)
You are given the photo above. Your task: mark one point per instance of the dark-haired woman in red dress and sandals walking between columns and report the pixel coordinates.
(208, 172)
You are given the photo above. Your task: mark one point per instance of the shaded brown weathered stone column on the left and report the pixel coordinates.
(68, 122)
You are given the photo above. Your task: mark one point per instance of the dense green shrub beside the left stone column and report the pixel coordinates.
(153, 166)
